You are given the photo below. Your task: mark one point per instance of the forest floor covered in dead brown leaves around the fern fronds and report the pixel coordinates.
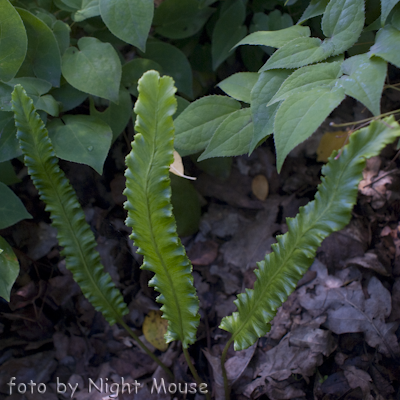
(336, 337)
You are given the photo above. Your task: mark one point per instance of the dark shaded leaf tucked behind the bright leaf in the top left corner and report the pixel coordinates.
(43, 55)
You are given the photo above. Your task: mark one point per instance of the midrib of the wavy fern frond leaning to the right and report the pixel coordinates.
(287, 258)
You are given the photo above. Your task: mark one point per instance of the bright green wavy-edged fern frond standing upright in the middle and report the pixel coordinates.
(149, 208)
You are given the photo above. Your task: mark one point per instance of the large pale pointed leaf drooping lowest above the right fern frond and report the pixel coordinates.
(300, 115)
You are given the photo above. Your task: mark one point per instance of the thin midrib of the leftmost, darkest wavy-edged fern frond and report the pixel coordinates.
(70, 228)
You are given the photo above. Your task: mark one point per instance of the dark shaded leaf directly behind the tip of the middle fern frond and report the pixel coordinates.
(173, 62)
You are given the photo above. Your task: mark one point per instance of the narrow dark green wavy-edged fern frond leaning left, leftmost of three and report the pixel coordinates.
(73, 232)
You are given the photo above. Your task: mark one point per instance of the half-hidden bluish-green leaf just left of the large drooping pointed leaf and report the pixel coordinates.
(263, 116)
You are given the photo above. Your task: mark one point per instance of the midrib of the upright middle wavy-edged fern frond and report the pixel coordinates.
(153, 236)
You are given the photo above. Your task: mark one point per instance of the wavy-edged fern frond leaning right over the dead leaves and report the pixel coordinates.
(294, 252)
